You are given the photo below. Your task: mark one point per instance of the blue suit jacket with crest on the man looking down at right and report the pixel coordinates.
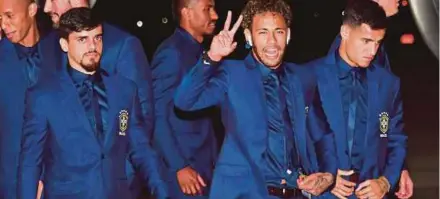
(384, 153)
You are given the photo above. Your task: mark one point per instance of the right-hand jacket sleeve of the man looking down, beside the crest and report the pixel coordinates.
(397, 140)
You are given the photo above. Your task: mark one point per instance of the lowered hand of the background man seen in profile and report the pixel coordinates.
(190, 181)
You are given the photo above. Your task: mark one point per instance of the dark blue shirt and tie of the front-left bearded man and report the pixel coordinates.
(94, 99)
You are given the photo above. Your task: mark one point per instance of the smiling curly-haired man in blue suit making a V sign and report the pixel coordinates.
(263, 109)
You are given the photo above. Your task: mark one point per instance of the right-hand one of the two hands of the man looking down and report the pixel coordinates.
(373, 189)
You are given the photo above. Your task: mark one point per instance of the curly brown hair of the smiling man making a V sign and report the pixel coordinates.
(254, 7)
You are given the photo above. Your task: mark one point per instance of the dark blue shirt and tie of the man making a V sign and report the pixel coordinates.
(280, 147)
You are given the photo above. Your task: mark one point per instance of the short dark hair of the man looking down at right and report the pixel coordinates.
(368, 12)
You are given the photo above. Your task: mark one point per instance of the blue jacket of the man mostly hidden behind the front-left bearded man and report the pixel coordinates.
(123, 55)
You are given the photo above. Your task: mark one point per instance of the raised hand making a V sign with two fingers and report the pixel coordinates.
(223, 44)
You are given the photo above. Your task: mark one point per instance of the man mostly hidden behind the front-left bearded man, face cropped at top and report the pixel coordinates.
(123, 55)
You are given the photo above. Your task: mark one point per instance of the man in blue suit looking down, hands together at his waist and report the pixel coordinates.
(362, 103)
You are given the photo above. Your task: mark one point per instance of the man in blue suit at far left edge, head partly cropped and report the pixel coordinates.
(24, 55)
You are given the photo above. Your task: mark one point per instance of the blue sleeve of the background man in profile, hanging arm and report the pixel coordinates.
(166, 78)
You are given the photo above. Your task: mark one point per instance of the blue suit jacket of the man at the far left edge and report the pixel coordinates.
(13, 85)
